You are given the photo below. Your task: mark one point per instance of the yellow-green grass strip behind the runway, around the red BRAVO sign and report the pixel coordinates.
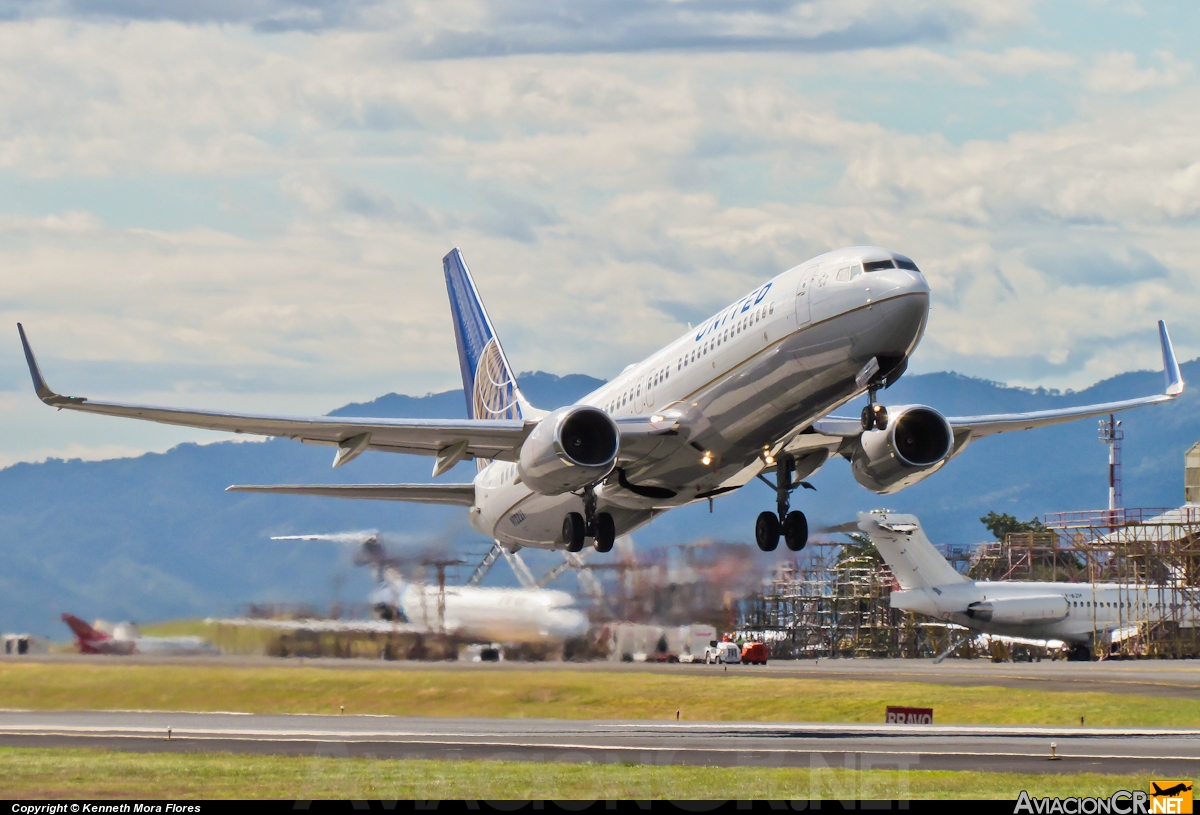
(559, 694)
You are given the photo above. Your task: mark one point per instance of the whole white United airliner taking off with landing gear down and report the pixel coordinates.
(748, 392)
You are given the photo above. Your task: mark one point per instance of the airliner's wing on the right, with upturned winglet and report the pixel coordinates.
(968, 429)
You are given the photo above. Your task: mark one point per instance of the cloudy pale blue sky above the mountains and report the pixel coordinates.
(245, 205)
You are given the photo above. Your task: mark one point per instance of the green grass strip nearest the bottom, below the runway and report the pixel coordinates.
(69, 774)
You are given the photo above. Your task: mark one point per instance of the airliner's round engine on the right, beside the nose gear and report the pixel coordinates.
(917, 441)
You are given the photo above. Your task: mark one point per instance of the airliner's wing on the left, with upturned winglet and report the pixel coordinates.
(452, 440)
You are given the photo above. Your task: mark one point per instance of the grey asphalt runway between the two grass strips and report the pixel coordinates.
(1166, 753)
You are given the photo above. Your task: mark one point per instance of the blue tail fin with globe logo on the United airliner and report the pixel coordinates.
(488, 380)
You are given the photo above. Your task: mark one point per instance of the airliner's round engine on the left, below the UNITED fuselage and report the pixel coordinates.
(569, 450)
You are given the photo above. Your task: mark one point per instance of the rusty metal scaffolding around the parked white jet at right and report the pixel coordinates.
(833, 602)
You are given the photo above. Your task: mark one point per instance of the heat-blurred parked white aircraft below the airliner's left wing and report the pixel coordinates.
(487, 615)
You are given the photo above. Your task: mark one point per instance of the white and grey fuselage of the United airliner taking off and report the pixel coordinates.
(743, 381)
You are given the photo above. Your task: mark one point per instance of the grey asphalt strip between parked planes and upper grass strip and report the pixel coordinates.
(1169, 679)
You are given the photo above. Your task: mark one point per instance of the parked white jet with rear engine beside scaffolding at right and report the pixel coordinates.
(1073, 613)
